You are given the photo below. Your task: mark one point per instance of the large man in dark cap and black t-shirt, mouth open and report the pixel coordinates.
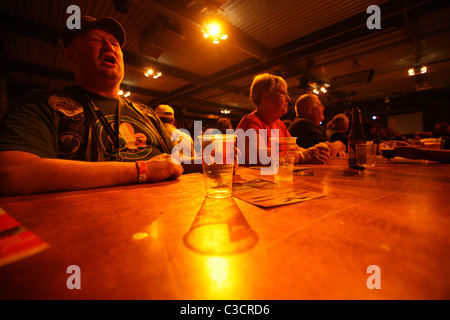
(85, 136)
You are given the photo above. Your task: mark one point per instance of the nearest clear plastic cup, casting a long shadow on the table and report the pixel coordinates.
(218, 164)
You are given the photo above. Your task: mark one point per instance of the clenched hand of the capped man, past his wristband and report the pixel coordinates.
(162, 167)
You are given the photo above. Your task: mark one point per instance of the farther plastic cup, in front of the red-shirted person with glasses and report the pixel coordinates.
(284, 159)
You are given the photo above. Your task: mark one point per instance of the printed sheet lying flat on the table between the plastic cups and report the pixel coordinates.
(269, 194)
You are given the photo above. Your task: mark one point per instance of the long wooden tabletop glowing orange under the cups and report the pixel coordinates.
(132, 242)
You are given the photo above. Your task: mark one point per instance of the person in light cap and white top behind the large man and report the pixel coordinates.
(179, 138)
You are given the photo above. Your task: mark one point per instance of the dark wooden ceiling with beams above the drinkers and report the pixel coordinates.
(325, 42)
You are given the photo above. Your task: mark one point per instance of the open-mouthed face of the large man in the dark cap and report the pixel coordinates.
(97, 56)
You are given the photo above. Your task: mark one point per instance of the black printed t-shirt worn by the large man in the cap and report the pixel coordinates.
(64, 125)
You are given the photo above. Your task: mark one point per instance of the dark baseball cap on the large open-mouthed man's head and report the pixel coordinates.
(88, 23)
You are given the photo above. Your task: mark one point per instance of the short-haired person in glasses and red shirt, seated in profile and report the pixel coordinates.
(270, 97)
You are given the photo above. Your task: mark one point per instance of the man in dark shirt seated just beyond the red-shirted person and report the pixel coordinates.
(306, 127)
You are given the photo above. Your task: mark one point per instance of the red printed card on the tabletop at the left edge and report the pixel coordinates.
(16, 242)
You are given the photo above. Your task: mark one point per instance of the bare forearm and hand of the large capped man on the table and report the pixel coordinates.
(26, 173)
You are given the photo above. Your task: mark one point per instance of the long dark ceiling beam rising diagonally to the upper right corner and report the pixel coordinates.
(346, 30)
